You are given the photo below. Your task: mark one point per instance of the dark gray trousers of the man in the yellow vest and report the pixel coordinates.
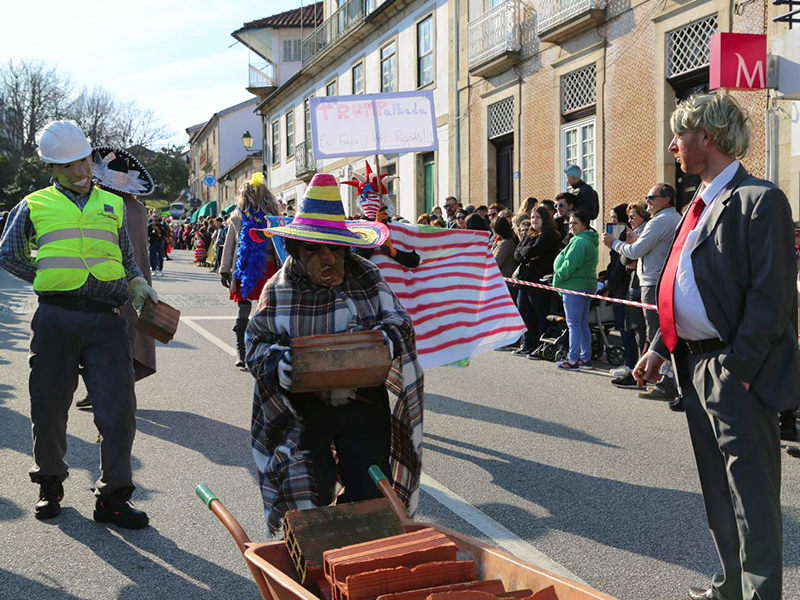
(61, 341)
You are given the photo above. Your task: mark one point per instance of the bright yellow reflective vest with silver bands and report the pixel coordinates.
(75, 243)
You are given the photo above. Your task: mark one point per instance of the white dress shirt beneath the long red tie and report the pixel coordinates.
(691, 319)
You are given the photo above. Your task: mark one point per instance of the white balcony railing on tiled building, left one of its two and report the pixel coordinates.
(495, 33)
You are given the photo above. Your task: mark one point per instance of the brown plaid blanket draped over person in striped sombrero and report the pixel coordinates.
(291, 306)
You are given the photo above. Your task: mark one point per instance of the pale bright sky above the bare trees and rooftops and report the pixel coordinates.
(171, 55)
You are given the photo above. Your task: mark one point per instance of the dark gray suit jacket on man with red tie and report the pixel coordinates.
(744, 266)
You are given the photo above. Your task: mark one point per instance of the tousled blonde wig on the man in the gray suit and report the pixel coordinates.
(720, 115)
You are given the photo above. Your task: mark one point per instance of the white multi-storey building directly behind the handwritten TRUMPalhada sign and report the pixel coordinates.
(365, 46)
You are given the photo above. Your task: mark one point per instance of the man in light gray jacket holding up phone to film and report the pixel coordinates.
(650, 248)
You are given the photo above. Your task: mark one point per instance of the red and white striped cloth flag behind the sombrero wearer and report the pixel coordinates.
(457, 299)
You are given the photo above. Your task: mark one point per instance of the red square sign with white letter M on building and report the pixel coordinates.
(738, 61)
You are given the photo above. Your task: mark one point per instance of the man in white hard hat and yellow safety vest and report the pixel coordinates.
(83, 272)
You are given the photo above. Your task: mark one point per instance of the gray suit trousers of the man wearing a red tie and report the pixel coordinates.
(736, 444)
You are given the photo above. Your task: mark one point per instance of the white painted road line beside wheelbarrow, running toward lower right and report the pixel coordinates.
(504, 538)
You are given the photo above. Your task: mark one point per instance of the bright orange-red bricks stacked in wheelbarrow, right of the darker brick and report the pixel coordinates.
(422, 565)
